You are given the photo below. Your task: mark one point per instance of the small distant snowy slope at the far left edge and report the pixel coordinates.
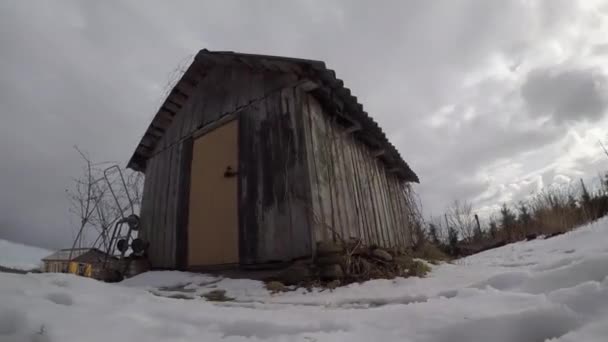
(22, 257)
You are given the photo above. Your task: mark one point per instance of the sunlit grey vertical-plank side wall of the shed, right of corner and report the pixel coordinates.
(352, 193)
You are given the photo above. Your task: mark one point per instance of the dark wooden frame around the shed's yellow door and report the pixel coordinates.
(183, 198)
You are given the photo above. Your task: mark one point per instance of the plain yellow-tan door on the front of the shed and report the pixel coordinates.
(213, 212)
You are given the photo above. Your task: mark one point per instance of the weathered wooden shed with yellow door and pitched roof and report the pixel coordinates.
(255, 159)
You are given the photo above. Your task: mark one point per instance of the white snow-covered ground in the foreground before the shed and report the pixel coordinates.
(542, 290)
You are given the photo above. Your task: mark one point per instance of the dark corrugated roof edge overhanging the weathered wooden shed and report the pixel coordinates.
(330, 92)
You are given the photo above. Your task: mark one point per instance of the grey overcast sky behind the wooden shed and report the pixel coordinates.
(486, 100)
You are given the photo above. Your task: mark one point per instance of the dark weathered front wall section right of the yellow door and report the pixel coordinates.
(274, 191)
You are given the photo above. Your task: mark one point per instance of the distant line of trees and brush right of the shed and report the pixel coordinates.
(552, 211)
